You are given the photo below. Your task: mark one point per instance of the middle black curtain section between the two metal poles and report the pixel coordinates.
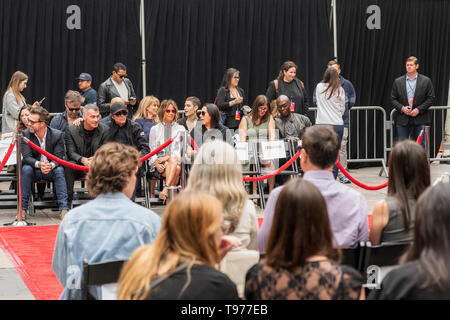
(190, 43)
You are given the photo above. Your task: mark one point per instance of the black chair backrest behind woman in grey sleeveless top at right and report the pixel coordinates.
(386, 254)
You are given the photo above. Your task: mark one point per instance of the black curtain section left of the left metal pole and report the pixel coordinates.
(35, 39)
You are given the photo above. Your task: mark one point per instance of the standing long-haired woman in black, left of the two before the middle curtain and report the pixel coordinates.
(230, 98)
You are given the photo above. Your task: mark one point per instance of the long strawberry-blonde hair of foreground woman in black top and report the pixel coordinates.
(189, 224)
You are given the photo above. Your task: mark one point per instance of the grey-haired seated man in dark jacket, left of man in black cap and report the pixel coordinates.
(81, 143)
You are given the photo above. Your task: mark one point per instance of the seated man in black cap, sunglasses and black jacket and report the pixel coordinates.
(123, 130)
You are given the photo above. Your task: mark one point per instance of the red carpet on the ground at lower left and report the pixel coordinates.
(30, 249)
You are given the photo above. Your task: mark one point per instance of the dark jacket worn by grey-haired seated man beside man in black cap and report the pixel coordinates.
(76, 147)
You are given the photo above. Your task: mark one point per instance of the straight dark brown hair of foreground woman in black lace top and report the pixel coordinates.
(300, 228)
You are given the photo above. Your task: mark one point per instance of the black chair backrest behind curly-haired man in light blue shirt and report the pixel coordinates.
(98, 274)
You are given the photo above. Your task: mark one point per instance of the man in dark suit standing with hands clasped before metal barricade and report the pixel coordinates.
(412, 95)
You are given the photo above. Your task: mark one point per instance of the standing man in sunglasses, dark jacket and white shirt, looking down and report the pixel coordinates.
(117, 86)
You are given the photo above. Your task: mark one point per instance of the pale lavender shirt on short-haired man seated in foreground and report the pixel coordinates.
(347, 210)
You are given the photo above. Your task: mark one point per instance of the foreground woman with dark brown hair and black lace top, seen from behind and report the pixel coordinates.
(298, 263)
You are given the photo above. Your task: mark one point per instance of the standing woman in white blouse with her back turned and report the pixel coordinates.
(330, 97)
